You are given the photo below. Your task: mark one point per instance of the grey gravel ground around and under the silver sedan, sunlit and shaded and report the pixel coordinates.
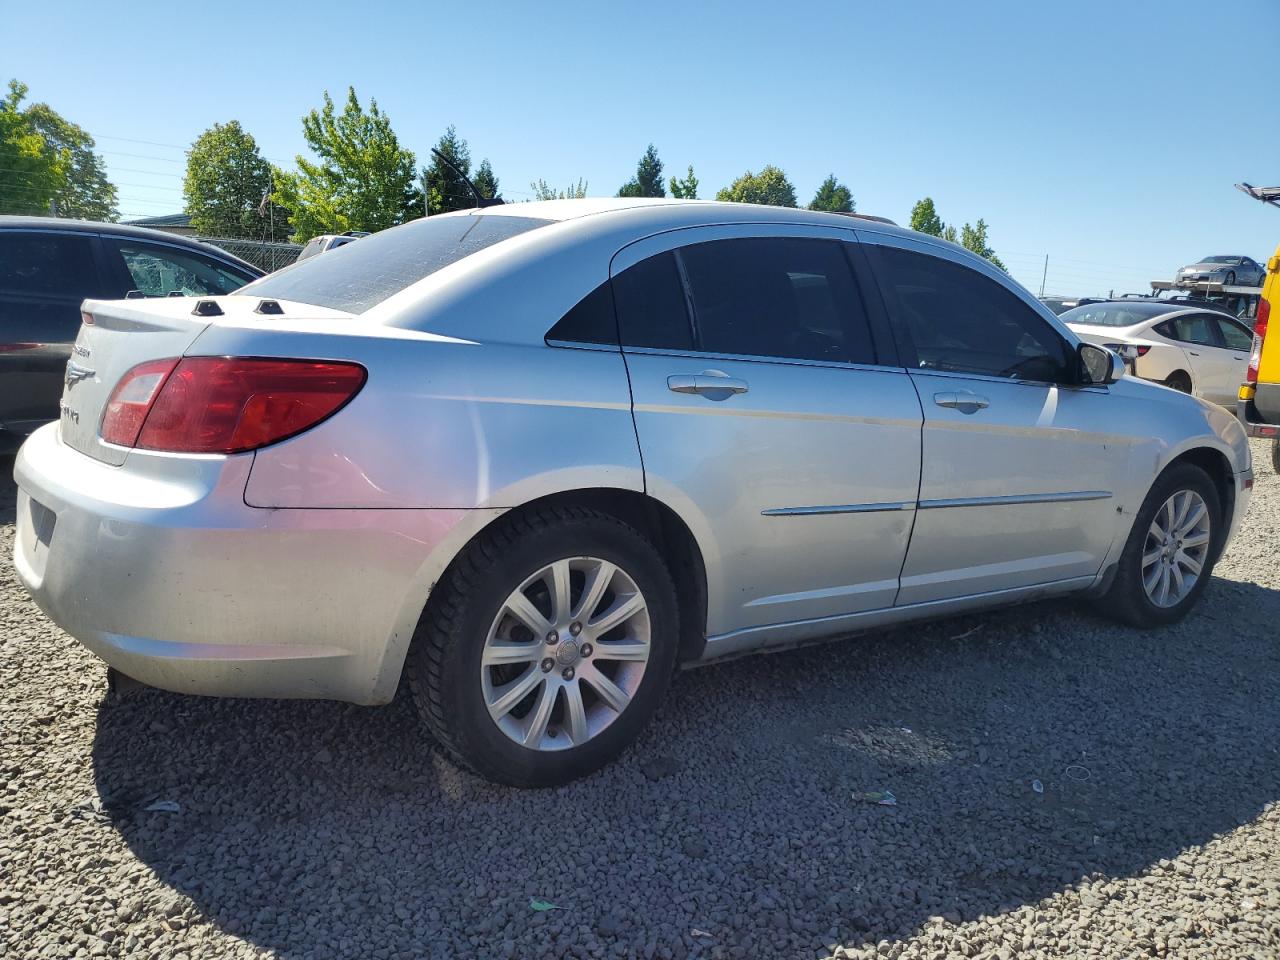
(1066, 788)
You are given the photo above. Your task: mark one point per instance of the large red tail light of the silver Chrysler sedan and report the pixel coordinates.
(225, 405)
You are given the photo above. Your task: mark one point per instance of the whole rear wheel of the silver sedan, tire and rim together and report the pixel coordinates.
(547, 648)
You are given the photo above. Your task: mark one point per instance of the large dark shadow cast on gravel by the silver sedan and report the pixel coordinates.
(1027, 749)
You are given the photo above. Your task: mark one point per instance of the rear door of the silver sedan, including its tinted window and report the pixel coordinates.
(772, 419)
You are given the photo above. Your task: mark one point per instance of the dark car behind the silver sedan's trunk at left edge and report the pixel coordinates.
(49, 267)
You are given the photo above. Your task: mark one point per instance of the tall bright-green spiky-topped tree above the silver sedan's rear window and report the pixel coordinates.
(363, 179)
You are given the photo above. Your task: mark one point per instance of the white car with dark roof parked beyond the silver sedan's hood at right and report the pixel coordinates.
(1194, 350)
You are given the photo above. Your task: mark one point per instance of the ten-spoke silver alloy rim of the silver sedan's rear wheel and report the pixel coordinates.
(566, 653)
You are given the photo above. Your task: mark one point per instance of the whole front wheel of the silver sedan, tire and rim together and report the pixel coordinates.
(1171, 552)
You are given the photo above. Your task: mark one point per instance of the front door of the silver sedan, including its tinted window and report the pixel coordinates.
(1020, 469)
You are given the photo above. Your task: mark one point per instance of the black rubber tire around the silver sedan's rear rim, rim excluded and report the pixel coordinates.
(444, 666)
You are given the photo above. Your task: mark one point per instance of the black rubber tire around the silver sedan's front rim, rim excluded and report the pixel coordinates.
(1127, 600)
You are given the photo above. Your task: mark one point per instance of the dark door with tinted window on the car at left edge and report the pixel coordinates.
(44, 277)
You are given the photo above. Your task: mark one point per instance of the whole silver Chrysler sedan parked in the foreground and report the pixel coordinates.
(537, 456)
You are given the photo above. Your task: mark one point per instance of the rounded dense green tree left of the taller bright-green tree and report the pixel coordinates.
(226, 182)
